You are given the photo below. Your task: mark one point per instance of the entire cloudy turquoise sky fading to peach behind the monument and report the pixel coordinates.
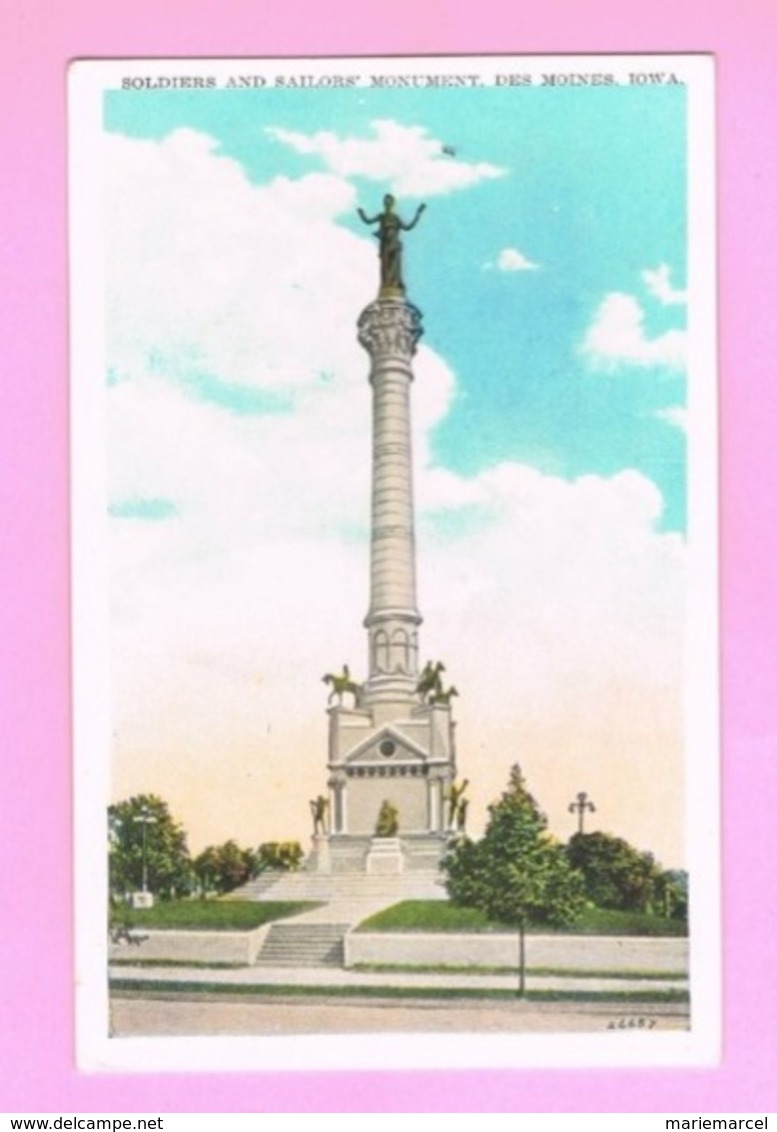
(549, 436)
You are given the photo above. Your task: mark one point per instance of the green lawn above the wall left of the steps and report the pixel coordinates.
(214, 915)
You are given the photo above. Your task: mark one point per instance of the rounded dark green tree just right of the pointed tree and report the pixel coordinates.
(616, 873)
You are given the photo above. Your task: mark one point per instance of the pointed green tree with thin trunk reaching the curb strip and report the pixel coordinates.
(517, 873)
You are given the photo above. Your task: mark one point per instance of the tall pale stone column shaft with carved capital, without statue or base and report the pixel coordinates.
(389, 330)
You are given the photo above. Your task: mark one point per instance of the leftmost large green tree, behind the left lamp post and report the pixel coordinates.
(147, 844)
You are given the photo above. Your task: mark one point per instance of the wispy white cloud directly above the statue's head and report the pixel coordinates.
(404, 158)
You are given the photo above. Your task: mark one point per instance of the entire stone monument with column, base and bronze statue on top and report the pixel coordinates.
(391, 743)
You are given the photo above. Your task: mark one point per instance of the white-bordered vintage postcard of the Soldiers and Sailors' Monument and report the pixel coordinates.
(395, 562)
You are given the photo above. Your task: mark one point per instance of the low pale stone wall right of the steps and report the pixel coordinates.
(563, 953)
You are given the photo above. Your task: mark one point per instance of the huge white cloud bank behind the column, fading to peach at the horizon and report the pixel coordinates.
(556, 604)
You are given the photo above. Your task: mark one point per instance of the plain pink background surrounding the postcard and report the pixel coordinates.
(37, 1000)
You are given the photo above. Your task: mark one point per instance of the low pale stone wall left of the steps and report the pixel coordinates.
(238, 948)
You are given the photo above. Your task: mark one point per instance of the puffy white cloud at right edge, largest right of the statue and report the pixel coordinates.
(618, 338)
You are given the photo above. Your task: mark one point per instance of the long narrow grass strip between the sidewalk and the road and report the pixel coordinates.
(147, 987)
